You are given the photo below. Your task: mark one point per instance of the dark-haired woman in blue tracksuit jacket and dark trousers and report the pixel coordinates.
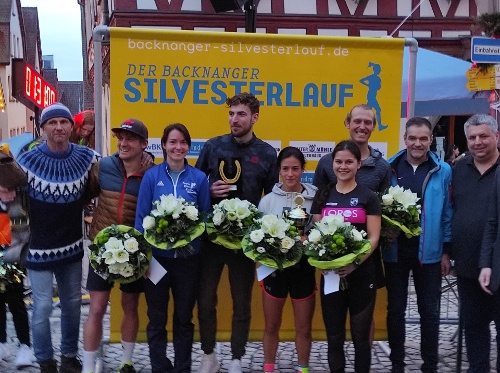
(174, 176)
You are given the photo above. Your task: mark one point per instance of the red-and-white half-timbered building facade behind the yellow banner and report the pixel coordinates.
(445, 26)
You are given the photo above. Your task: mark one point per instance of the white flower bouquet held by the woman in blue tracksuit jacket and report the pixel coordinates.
(173, 224)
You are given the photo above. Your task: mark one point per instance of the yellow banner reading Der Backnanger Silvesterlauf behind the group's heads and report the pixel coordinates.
(306, 84)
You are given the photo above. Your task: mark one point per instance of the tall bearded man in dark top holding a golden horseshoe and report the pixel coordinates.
(238, 165)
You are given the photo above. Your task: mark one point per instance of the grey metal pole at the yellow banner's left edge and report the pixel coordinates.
(100, 32)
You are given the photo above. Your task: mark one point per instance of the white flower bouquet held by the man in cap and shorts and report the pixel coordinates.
(120, 254)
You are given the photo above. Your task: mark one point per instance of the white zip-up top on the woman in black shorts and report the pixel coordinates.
(274, 202)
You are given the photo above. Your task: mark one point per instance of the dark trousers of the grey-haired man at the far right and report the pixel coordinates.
(478, 309)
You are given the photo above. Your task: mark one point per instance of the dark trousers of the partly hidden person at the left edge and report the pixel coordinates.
(13, 296)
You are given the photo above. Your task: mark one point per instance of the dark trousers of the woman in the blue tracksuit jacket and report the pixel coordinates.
(182, 279)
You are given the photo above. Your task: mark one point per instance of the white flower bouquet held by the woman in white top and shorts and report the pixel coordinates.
(274, 242)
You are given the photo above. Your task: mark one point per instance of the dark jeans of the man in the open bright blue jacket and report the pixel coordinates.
(427, 280)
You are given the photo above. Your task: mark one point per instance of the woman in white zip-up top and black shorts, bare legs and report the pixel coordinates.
(298, 280)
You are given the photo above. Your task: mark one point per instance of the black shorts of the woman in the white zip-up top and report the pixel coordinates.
(299, 281)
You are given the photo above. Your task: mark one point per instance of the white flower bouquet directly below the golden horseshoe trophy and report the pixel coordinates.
(229, 221)
